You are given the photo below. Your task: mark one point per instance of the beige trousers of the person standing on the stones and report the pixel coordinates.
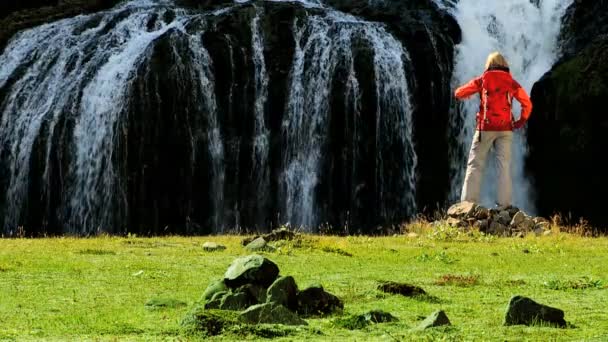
(502, 142)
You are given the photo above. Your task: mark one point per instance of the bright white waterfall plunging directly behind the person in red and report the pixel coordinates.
(526, 33)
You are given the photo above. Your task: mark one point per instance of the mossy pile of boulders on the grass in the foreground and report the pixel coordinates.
(252, 286)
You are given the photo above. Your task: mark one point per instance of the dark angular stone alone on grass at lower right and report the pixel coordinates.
(525, 311)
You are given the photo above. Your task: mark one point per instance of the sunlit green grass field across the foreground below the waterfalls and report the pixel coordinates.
(95, 289)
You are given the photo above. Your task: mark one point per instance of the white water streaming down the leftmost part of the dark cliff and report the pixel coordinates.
(83, 68)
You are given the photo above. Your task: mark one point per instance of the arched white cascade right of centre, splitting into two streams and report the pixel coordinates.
(322, 43)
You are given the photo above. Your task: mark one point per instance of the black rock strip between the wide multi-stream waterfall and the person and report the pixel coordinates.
(429, 34)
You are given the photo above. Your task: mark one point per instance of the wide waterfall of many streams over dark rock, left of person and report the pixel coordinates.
(151, 118)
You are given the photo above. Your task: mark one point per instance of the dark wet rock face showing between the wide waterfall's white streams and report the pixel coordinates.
(163, 170)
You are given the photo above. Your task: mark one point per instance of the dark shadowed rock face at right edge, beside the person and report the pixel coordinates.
(568, 129)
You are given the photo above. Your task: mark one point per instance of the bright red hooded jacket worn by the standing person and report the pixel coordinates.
(497, 88)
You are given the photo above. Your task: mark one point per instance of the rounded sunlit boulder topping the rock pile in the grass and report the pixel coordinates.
(252, 269)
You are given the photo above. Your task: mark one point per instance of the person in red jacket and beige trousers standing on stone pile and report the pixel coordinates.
(495, 125)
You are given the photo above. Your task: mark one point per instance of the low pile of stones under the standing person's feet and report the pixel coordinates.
(502, 221)
